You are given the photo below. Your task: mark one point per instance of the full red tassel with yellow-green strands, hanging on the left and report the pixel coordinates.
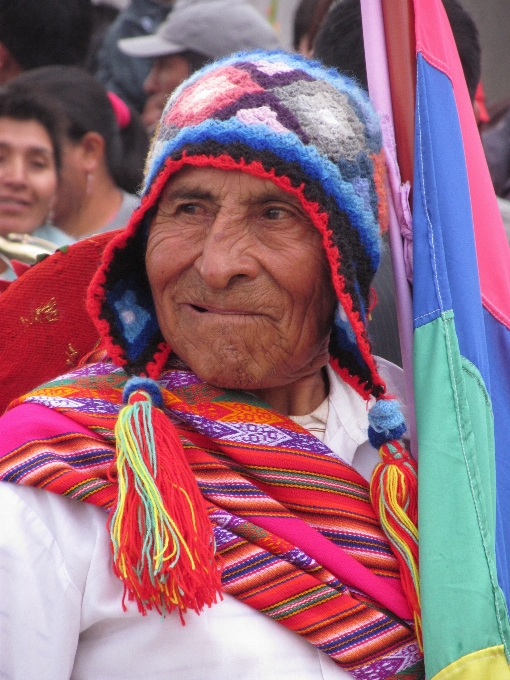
(162, 539)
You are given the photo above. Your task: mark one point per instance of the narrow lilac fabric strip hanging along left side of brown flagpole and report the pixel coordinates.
(379, 89)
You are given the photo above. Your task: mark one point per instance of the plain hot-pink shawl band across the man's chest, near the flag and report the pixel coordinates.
(337, 561)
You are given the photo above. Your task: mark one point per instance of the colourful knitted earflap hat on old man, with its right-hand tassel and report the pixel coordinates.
(313, 133)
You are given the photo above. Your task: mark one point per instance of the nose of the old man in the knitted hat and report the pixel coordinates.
(227, 253)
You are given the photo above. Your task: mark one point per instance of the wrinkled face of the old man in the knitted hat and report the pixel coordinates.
(239, 280)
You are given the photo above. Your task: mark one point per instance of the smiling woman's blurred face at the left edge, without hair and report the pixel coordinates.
(28, 175)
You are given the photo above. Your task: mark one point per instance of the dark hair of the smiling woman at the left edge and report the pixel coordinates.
(21, 103)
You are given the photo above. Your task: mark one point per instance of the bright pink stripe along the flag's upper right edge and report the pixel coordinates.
(435, 41)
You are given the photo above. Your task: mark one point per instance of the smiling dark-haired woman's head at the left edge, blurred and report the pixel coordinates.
(29, 165)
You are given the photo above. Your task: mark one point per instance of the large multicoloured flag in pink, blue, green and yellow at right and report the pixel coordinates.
(461, 344)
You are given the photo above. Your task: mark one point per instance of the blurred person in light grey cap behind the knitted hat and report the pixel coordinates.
(191, 35)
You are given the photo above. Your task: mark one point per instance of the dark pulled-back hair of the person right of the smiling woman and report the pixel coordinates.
(84, 103)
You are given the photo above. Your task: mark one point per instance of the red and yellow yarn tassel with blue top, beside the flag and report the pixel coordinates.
(394, 496)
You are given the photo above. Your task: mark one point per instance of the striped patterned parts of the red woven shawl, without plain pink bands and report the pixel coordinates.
(253, 466)
